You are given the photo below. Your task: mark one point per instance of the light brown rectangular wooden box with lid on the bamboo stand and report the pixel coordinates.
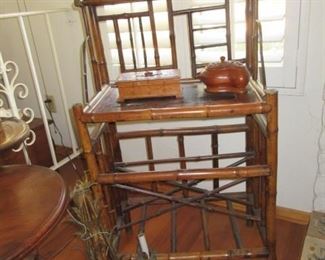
(156, 83)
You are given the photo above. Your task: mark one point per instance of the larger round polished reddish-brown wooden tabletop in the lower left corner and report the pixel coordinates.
(33, 199)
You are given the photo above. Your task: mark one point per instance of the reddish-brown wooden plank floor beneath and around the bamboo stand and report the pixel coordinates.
(64, 243)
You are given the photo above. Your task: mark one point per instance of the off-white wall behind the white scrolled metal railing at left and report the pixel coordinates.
(68, 35)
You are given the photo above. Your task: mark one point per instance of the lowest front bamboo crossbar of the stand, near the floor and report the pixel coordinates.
(213, 254)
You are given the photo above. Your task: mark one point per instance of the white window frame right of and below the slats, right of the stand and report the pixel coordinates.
(289, 79)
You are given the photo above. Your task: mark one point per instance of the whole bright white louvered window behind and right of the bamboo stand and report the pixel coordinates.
(283, 23)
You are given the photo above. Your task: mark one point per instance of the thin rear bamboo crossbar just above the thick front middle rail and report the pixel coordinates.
(184, 159)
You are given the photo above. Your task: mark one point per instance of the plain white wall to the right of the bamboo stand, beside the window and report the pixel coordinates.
(300, 122)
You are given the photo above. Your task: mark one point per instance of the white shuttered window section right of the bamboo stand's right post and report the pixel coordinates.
(285, 35)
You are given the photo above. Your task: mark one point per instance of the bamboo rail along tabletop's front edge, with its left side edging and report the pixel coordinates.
(211, 110)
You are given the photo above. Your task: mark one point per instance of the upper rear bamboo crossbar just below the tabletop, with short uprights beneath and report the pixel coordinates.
(206, 130)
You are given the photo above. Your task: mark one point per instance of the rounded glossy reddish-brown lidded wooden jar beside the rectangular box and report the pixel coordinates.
(225, 76)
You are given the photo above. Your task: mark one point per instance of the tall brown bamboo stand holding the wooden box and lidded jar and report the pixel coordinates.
(255, 167)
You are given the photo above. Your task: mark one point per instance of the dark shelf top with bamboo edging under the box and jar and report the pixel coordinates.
(194, 103)
